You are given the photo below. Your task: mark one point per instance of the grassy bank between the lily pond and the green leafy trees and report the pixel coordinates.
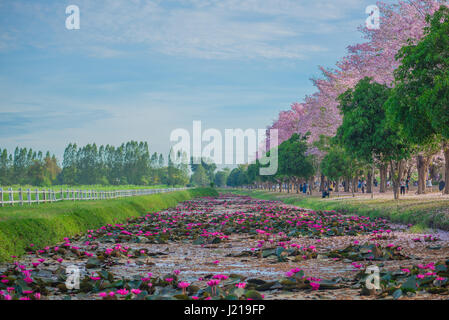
(423, 213)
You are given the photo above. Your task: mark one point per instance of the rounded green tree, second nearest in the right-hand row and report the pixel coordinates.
(365, 131)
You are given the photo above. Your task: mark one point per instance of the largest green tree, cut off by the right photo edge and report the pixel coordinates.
(419, 104)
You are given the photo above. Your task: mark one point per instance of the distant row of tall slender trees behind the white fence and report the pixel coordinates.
(130, 163)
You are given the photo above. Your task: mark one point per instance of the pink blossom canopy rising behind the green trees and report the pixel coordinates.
(319, 113)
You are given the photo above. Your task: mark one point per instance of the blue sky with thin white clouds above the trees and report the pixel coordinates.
(138, 69)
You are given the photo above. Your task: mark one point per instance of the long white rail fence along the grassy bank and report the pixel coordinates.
(28, 196)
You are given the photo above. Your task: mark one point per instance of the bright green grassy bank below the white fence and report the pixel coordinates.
(48, 224)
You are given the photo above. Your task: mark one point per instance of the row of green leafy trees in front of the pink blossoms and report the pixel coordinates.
(382, 127)
